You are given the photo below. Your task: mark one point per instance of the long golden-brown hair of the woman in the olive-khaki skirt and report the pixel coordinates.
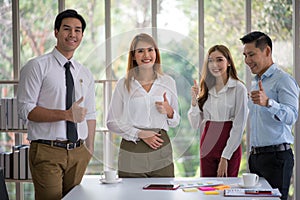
(132, 66)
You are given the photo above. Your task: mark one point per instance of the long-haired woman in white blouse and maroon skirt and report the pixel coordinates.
(219, 109)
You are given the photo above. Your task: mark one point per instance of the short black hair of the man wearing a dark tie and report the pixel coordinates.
(68, 14)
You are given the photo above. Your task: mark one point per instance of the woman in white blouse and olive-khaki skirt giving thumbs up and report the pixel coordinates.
(144, 105)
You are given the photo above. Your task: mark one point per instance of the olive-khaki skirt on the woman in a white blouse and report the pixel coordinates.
(139, 160)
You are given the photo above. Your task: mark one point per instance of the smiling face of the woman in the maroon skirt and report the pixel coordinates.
(217, 65)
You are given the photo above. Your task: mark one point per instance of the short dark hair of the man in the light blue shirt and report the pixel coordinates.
(261, 39)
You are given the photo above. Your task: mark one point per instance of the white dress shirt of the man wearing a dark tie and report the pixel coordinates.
(42, 83)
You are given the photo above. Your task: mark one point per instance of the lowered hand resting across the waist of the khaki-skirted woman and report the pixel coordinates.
(151, 138)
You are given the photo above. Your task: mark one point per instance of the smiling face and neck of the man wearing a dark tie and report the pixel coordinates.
(69, 36)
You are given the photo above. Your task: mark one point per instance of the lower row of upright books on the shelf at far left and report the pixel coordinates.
(15, 163)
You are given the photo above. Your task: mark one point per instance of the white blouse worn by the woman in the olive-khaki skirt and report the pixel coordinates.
(131, 111)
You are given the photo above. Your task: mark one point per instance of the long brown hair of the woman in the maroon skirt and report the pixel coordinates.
(208, 80)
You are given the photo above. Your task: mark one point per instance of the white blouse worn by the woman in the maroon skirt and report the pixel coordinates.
(229, 104)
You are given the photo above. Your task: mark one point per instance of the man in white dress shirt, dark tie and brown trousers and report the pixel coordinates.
(57, 164)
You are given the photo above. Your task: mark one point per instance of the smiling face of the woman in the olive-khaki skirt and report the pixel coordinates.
(144, 54)
